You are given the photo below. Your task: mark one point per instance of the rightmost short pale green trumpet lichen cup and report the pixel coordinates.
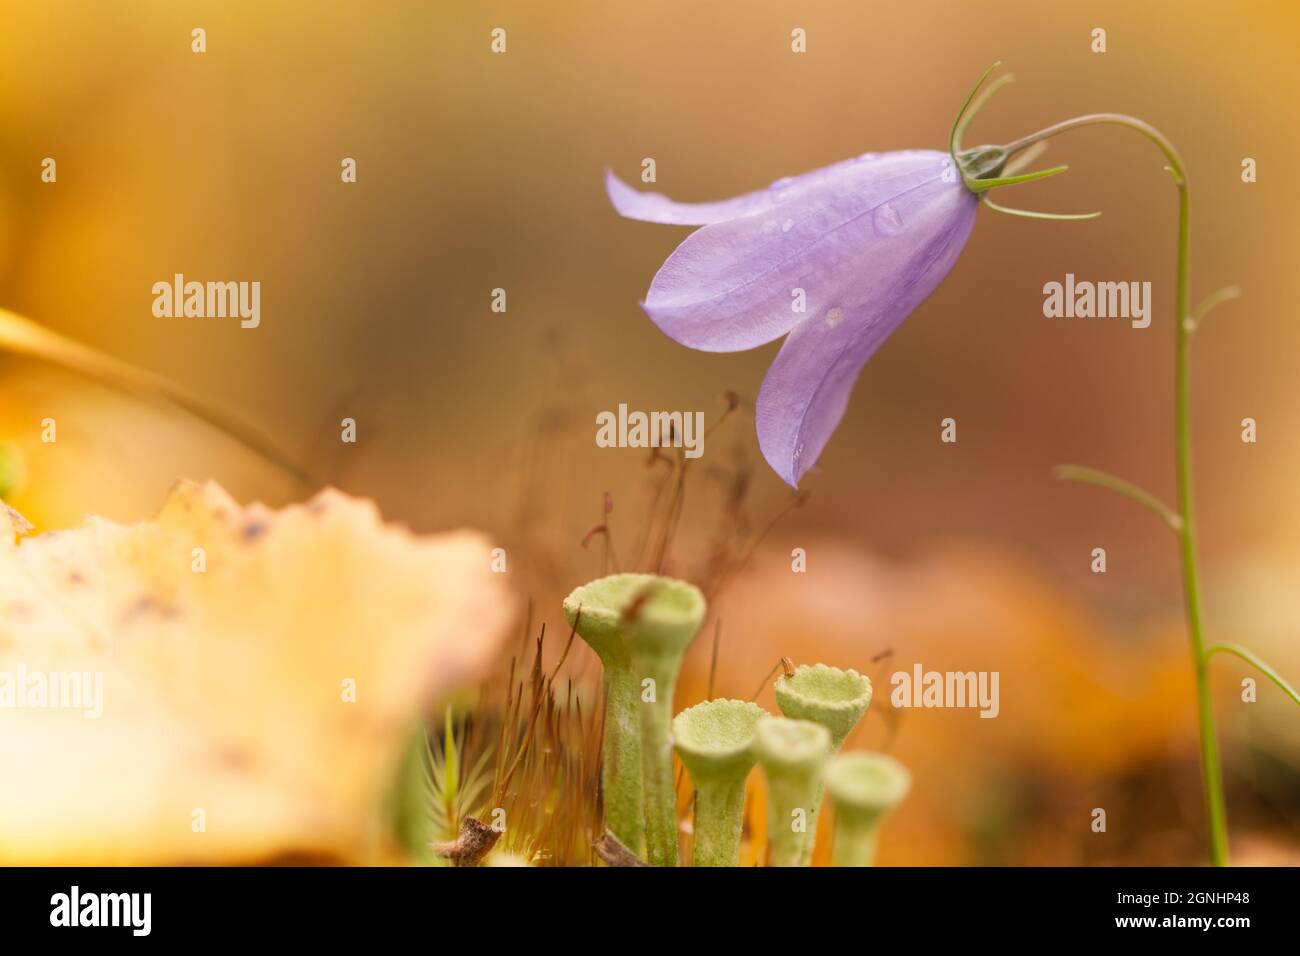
(864, 788)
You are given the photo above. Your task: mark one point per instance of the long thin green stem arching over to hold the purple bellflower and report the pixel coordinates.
(1212, 773)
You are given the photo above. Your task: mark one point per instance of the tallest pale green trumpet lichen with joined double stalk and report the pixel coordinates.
(640, 626)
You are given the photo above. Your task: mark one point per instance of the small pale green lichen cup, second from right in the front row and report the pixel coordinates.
(794, 755)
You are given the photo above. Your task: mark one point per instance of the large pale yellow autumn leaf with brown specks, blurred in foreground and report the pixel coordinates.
(235, 685)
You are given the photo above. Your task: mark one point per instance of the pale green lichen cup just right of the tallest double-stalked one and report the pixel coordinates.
(716, 743)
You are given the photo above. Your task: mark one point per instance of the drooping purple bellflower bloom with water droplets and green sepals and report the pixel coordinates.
(834, 259)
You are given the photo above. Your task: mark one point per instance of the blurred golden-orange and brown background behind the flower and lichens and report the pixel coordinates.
(480, 171)
